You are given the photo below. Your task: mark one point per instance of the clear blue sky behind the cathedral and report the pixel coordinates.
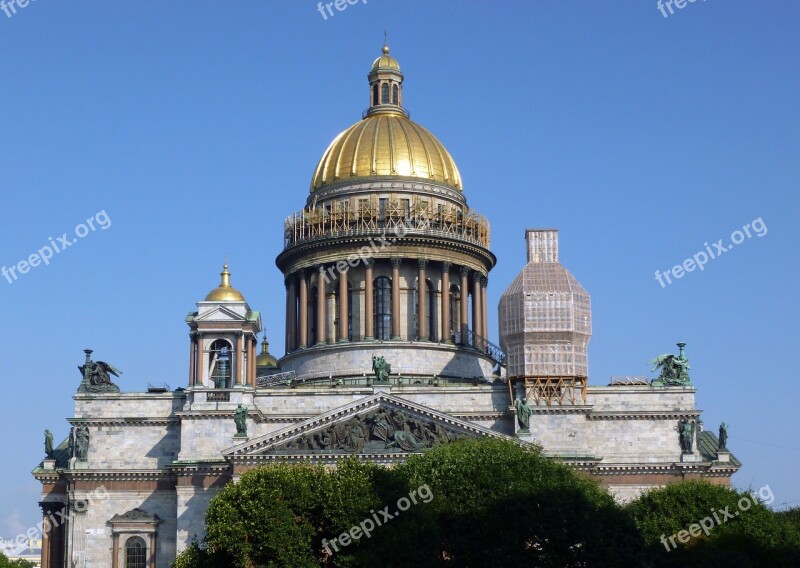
(195, 128)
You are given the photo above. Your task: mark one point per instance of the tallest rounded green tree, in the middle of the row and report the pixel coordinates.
(497, 503)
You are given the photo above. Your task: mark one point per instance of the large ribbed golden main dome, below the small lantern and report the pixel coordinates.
(386, 144)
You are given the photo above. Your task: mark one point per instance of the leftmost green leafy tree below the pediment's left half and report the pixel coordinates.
(283, 515)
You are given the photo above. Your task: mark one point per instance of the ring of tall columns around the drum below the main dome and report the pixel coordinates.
(300, 282)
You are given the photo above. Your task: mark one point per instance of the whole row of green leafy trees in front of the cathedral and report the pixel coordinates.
(486, 503)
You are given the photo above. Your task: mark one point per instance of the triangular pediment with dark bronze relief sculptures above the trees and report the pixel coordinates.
(381, 426)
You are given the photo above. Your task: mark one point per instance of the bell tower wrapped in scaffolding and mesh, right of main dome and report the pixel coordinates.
(545, 325)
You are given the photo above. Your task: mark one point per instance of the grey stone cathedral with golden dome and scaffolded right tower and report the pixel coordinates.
(388, 352)
